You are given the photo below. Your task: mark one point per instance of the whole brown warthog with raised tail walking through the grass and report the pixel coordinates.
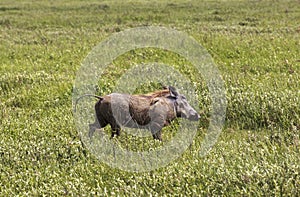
(151, 111)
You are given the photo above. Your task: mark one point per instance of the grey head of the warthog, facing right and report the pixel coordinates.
(182, 107)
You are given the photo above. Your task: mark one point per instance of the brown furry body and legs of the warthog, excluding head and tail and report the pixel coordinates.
(141, 113)
